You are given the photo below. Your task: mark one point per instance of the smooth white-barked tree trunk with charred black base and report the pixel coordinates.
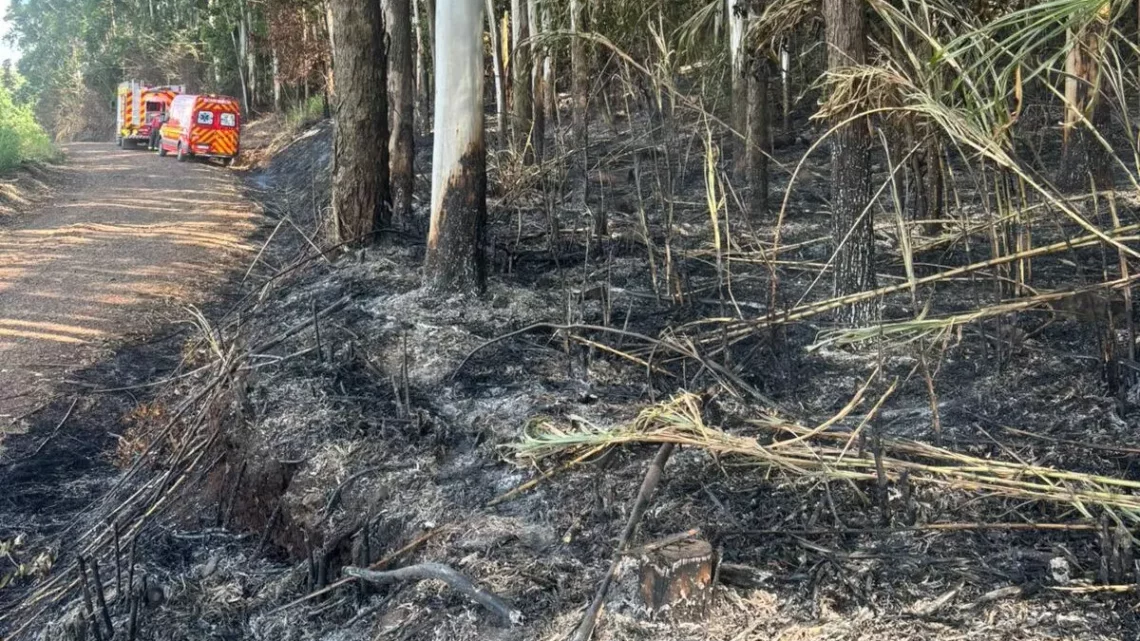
(455, 261)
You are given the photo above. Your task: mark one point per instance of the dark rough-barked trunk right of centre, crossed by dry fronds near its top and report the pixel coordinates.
(852, 223)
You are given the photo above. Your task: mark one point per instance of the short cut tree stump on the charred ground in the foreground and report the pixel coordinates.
(678, 578)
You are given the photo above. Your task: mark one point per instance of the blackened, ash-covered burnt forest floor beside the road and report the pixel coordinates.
(328, 401)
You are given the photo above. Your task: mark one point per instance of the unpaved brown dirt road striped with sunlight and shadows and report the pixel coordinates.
(128, 238)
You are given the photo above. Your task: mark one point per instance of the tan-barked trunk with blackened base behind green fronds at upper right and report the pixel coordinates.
(1085, 161)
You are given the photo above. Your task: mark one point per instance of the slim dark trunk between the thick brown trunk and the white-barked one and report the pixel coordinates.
(402, 145)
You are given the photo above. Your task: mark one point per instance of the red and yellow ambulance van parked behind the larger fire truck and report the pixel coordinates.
(206, 126)
